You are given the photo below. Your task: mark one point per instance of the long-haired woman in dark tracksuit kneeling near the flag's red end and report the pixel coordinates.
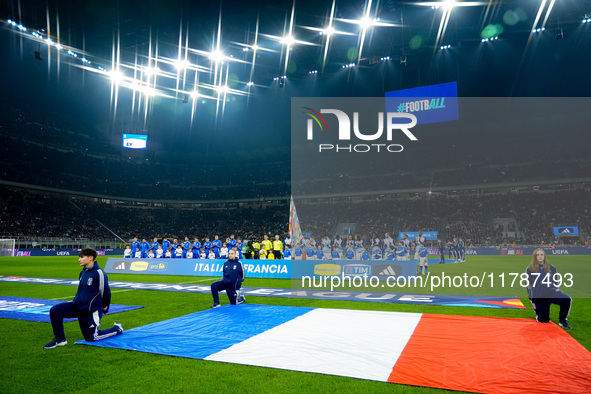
(543, 291)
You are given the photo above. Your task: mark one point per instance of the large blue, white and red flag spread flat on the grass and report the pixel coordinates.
(478, 354)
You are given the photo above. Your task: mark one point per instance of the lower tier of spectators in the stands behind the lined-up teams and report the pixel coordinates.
(470, 217)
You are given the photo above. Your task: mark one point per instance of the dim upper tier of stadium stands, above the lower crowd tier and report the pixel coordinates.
(47, 155)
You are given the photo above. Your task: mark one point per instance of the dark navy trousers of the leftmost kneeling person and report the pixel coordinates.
(89, 322)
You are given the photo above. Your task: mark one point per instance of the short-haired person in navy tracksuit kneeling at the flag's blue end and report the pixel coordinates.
(91, 301)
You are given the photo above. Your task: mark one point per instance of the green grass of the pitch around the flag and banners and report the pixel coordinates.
(27, 367)
